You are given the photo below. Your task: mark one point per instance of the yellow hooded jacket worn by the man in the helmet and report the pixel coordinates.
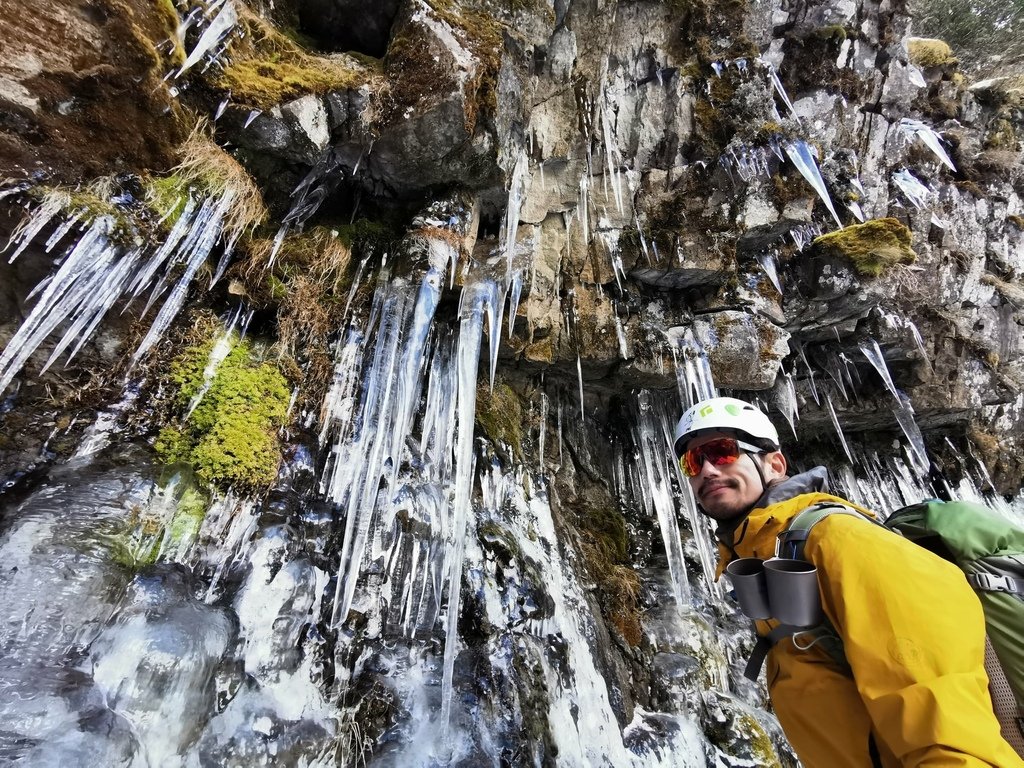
(914, 634)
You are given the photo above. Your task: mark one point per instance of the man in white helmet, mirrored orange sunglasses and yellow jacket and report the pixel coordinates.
(915, 692)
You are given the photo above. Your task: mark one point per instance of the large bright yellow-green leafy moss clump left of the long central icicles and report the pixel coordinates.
(231, 437)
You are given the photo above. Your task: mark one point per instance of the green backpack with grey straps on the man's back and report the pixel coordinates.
(990, 549)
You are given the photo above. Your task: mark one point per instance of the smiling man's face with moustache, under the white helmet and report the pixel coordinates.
(728, 492)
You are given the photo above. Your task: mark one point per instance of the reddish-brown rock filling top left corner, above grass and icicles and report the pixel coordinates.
(80, 90)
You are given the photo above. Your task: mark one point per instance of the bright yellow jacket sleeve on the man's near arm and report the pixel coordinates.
(914, 634)
